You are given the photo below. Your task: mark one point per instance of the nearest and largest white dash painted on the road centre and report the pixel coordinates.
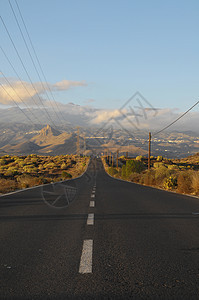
(86, 258)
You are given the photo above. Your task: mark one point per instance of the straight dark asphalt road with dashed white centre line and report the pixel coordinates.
(114, 240)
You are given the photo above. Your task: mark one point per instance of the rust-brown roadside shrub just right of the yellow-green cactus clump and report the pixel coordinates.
(185, 182)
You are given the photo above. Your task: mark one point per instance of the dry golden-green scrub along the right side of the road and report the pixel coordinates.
(178, 175)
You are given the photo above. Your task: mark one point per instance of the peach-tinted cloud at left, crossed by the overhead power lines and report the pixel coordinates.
(12, 90)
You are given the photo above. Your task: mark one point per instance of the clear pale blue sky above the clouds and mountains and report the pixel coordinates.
(116, 47)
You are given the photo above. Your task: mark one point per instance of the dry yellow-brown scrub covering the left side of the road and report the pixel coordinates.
(19, 172)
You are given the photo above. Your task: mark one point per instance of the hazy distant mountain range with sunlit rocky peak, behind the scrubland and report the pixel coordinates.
(19, 138)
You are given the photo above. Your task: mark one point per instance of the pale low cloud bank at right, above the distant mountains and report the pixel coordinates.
(149, 121)
